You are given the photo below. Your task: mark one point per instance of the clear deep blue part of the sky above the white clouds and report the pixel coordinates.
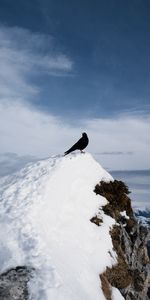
(108, 44)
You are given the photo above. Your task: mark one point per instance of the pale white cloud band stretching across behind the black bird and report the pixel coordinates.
(26, 131)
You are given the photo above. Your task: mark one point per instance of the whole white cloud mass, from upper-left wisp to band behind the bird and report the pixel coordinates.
(26, 131)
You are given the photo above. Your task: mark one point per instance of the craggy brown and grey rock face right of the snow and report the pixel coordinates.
(130, 241)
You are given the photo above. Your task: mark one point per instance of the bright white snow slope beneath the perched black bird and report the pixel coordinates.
(45, 219)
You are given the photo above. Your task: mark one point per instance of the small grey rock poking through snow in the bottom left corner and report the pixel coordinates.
(13, 284)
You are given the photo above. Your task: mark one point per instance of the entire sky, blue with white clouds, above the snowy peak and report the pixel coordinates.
(74, 66)
